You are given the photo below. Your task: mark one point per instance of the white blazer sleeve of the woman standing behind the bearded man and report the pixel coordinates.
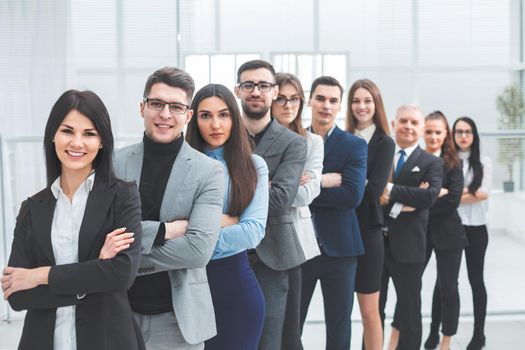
(314, 167)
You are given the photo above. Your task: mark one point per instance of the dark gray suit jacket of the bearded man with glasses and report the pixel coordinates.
(285, 154)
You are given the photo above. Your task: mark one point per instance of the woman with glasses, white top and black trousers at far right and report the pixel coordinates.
(477, 172)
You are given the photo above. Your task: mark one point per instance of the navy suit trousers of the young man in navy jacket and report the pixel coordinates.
(337, 276)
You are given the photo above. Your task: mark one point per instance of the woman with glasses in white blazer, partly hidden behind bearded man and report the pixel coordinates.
(287, 108)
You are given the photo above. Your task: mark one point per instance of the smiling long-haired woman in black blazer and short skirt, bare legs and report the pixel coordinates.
(366, 118)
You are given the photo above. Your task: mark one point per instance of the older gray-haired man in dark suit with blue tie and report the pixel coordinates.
(415, 187)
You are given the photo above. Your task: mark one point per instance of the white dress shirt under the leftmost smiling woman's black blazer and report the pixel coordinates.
(64, 238)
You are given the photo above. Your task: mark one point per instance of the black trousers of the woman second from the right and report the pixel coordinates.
(445, 300)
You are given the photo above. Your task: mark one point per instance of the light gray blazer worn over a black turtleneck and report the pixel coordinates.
(194, 192)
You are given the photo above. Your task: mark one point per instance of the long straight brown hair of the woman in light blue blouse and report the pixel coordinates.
(237, 149)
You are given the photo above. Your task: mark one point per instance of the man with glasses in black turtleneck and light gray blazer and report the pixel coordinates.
(181, 191)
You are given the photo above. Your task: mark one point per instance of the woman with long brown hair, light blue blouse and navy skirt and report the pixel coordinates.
(217, 130)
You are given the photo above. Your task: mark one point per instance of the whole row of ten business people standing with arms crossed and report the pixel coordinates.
(274, 214)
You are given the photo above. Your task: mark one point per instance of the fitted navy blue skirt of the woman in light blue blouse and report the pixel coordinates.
(238, 302)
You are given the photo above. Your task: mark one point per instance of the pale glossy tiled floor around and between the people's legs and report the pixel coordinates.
(505, 327)
